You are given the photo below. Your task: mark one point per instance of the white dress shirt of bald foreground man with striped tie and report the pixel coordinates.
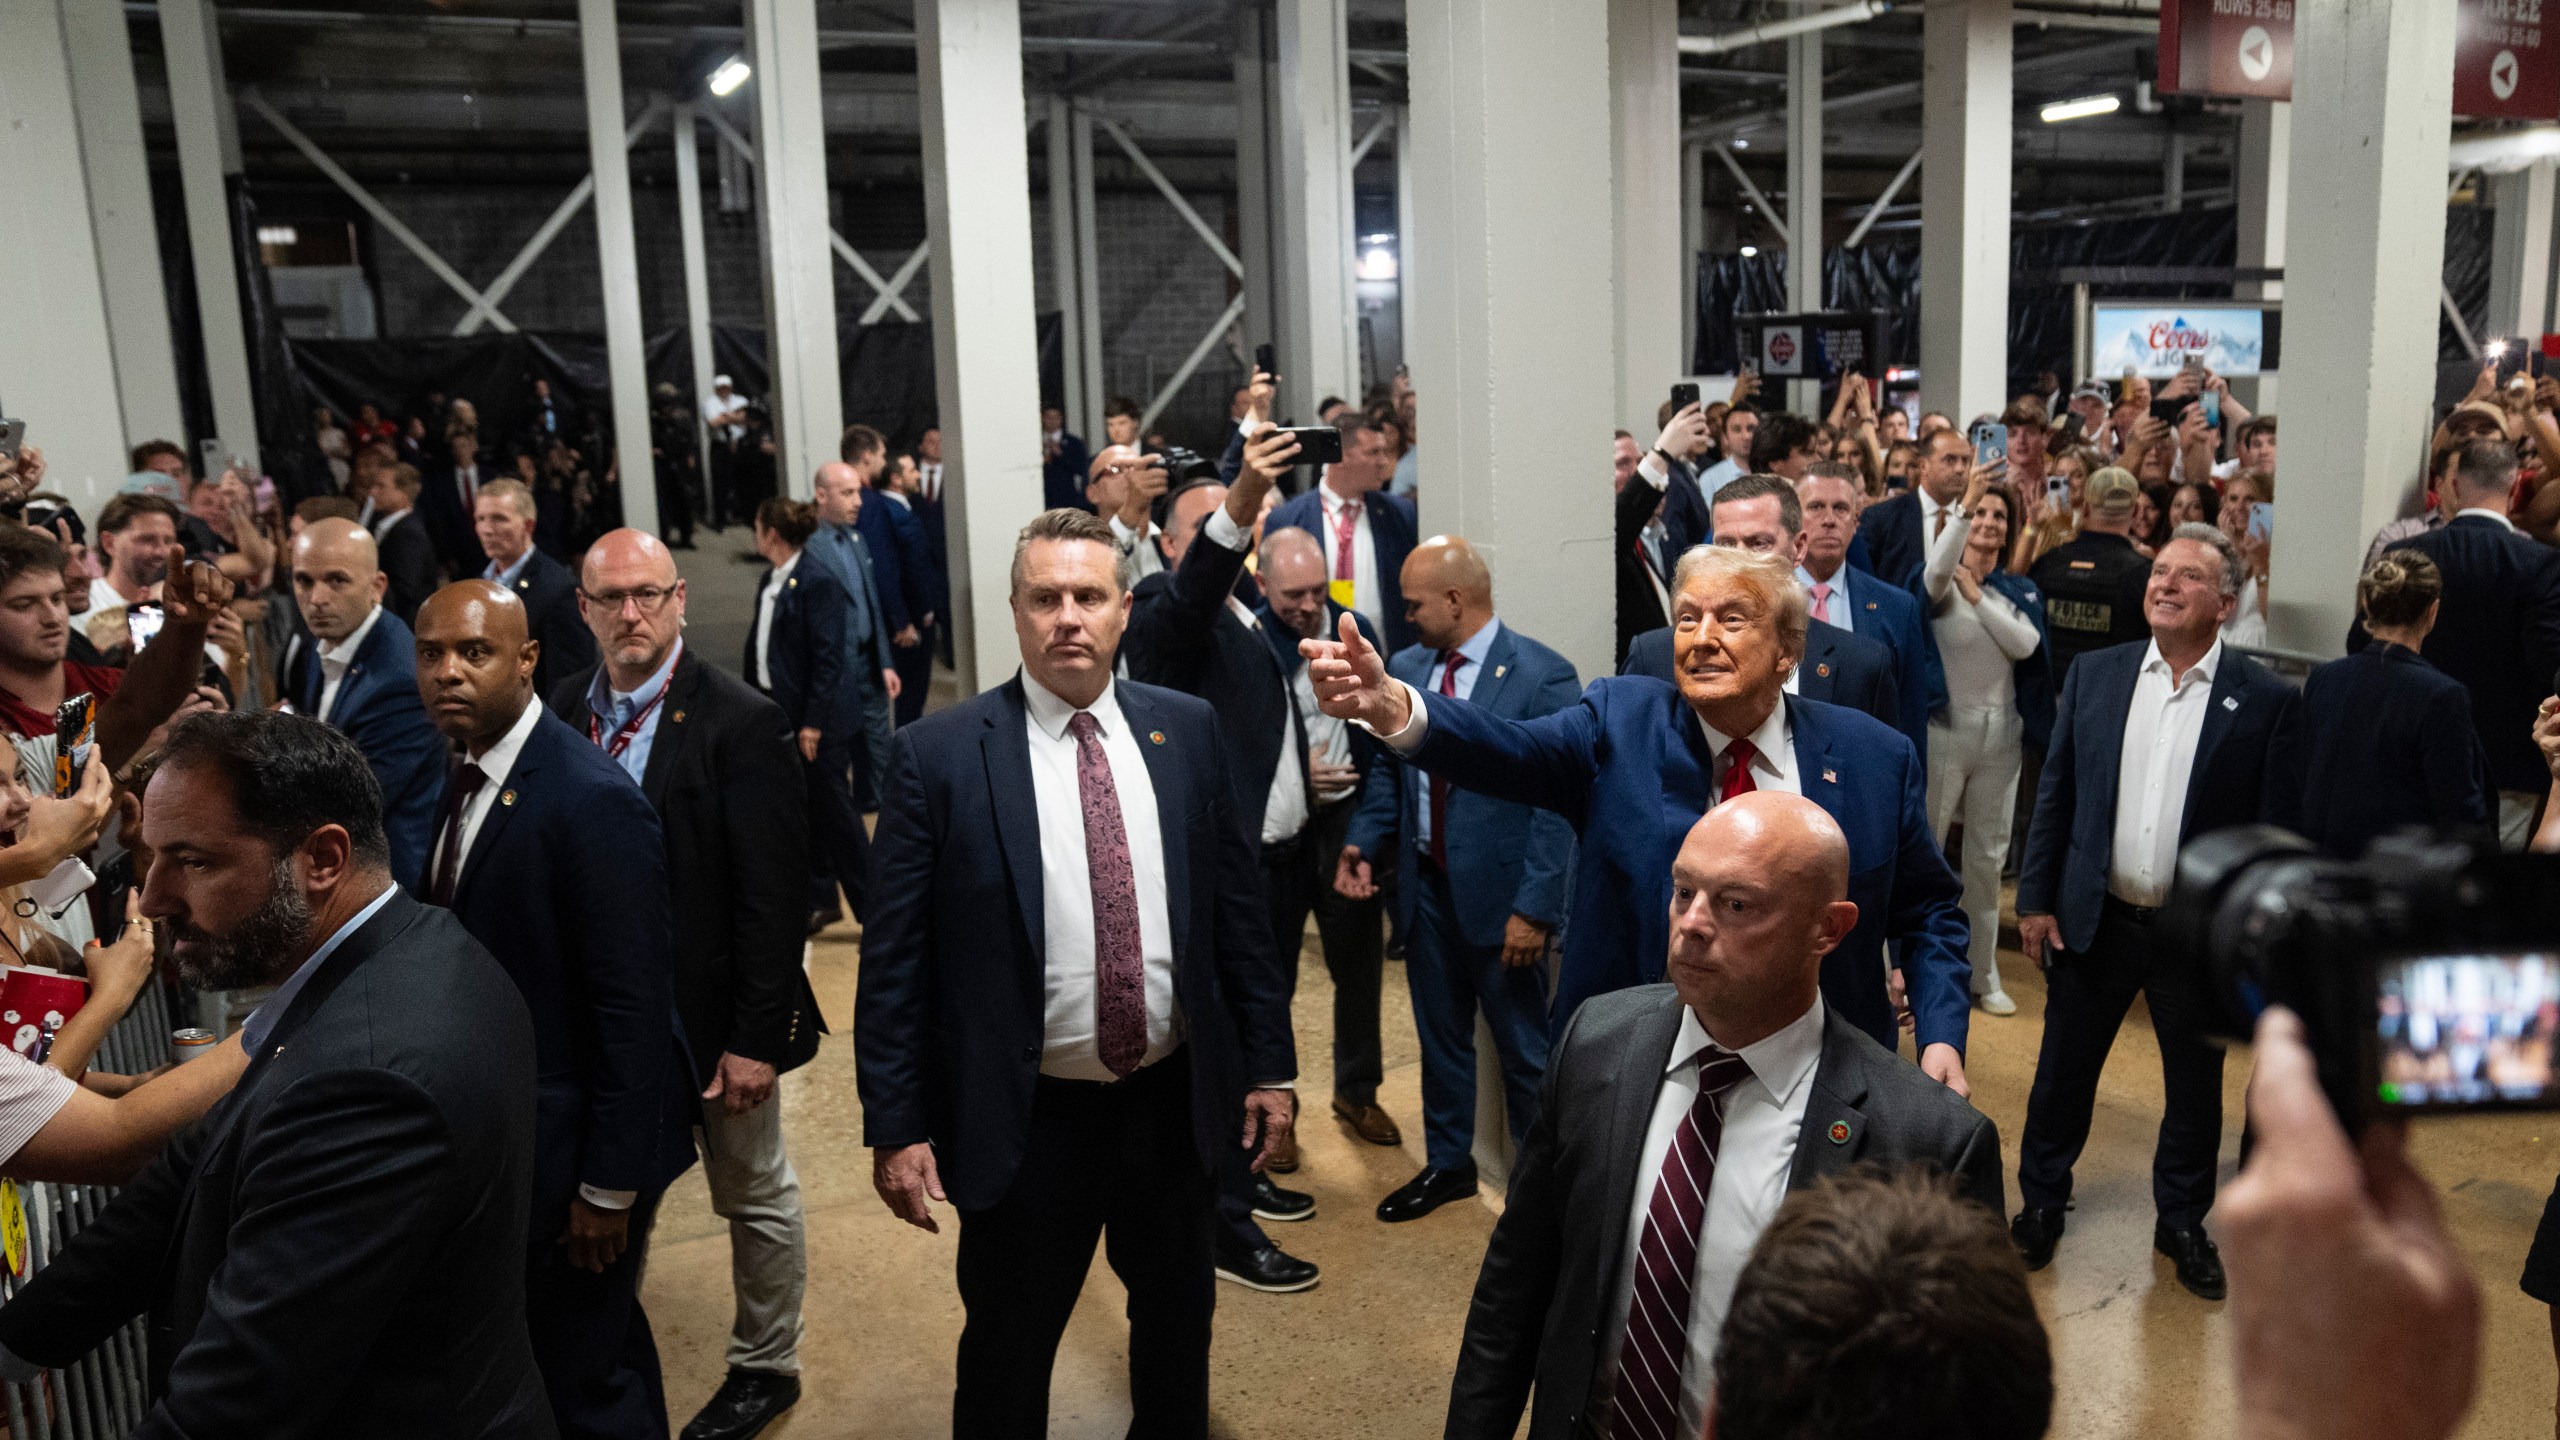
(1752, 1165)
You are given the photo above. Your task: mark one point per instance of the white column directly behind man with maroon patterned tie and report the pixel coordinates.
(987, 342)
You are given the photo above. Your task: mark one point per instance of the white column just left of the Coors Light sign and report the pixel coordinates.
(1965, 209)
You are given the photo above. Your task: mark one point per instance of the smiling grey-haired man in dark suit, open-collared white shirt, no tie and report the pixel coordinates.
(2152, 747)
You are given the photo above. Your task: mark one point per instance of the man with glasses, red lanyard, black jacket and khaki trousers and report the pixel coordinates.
(723, 773)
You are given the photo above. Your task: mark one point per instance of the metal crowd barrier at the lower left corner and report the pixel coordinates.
(106, 1395)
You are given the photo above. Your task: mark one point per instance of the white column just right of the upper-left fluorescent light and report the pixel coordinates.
(800, 260)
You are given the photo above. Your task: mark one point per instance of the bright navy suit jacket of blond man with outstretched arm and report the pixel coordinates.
(1629, 767)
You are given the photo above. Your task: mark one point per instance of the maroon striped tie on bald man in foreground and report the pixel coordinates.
(1658, 1321)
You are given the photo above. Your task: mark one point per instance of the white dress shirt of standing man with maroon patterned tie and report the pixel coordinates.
(1066, 883)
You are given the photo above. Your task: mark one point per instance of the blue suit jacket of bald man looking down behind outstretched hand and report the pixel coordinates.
(1504, 857)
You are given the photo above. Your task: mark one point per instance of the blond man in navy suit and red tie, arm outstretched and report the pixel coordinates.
(1640, 762)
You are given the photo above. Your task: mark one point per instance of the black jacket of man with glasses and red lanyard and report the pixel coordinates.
(726, 780)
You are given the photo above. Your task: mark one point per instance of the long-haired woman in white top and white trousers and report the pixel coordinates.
(1990, 632)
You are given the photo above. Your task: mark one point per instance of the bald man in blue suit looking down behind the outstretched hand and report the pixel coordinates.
(1484, 880)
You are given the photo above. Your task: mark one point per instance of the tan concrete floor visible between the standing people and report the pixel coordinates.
(1371, 1349)
